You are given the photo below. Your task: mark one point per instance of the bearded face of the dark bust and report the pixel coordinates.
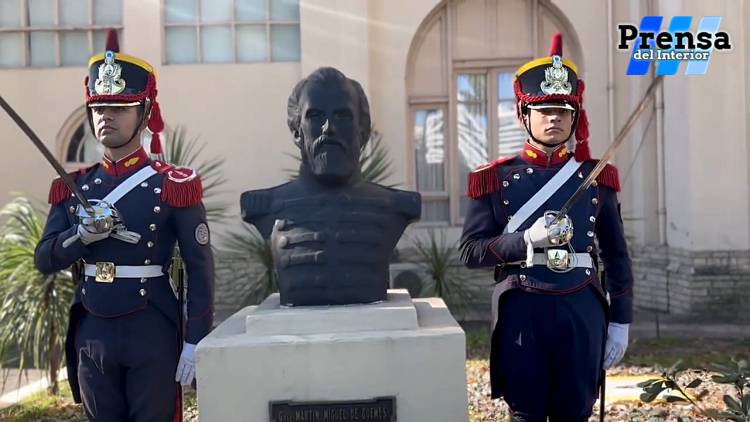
(329, 135)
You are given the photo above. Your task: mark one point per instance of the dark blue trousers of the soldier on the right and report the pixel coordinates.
(547, 353)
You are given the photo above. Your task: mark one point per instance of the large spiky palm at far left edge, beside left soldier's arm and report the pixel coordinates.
(33, 307)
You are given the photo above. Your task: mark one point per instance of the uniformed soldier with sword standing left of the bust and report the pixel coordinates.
(123, 348)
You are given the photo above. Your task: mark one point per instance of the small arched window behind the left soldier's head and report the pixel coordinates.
(78, 146)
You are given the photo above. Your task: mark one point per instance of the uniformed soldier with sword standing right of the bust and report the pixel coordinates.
(555, 324)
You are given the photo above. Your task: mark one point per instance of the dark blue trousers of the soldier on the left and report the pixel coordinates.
(126, 367)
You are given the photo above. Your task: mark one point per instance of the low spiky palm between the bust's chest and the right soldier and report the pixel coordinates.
(447, 281)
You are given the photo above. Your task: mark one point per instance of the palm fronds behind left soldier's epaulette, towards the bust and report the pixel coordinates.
(182, 151)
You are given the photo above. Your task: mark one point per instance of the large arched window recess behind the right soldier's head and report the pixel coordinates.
(460, 91)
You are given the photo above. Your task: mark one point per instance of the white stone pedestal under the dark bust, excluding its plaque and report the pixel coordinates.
(411, 350)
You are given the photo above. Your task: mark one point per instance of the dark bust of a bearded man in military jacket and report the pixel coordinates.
(332, 233)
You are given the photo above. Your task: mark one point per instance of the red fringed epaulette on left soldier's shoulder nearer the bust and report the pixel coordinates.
(181, 187)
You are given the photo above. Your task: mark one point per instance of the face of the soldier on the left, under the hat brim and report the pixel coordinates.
(113, 126)
